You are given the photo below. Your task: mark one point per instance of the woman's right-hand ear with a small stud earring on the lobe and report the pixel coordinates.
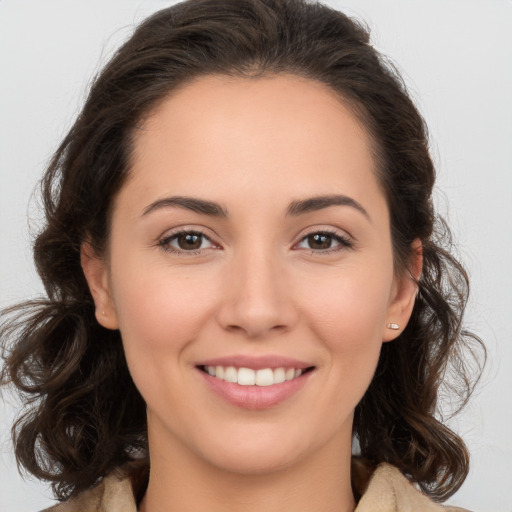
(403, 295)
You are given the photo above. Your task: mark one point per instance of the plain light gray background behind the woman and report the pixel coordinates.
(456, 56)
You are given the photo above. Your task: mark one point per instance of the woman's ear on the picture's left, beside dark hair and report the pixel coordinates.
(96, 273)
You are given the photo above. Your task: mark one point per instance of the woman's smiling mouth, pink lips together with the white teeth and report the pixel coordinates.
(255, 383)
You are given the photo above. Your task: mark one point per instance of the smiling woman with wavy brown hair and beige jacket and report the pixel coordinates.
(244, 274)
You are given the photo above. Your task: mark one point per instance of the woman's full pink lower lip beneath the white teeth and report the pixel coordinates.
(255, 397)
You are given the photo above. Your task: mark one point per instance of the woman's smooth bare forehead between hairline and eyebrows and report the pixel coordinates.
(252, 135)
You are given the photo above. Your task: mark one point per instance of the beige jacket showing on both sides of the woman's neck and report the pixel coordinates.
(387, 491)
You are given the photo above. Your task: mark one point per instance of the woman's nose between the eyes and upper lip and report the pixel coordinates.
(257, 298)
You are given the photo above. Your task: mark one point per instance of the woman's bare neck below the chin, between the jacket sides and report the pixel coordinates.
(187, 483)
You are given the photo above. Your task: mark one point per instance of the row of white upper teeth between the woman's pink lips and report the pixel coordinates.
(249, 377)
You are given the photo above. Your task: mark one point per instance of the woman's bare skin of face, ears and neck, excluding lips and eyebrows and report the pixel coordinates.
(257, 286)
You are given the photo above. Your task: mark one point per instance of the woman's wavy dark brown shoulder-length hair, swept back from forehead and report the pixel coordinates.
(83, 414)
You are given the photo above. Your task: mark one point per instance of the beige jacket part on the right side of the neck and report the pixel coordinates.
(390, 491)
